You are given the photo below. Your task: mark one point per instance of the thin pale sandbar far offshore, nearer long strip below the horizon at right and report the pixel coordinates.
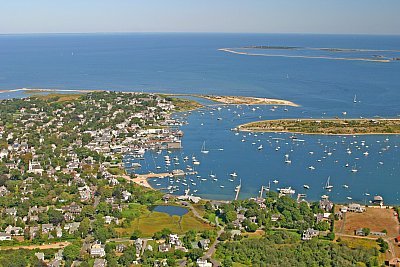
(230, 50)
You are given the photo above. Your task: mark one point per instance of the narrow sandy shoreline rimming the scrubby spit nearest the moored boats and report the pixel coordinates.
(245, 127)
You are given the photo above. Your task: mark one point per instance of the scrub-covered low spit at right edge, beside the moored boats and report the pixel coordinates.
(326, 126)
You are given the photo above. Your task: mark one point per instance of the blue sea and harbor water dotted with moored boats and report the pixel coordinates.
(191, 63)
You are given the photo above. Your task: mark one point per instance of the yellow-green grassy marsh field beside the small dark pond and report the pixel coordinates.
(150, 222)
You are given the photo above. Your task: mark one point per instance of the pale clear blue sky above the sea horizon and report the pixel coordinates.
(264, 16)
